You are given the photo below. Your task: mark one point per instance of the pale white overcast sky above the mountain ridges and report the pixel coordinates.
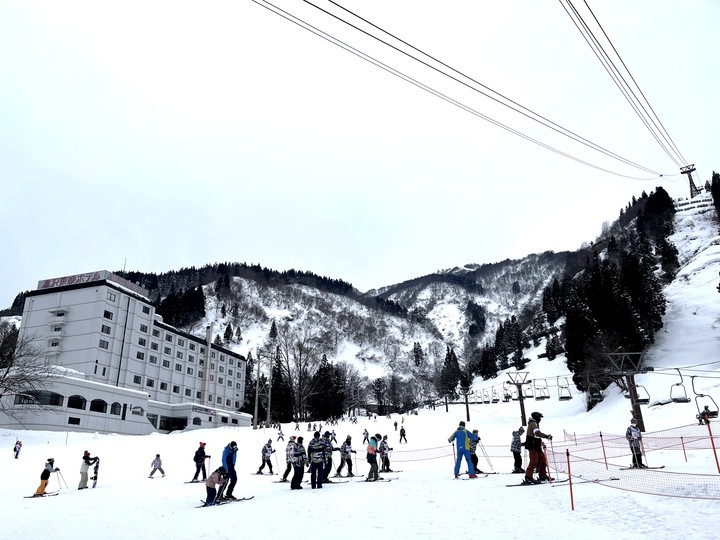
(162, 135)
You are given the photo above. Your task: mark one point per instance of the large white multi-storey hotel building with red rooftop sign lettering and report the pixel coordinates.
(122, 369)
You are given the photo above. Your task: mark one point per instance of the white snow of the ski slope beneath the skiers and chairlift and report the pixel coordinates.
(424, 500)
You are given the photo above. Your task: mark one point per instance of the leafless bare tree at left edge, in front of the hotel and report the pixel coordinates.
(25, 373)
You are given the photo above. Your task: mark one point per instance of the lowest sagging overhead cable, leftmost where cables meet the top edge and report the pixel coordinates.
(337, 42)
